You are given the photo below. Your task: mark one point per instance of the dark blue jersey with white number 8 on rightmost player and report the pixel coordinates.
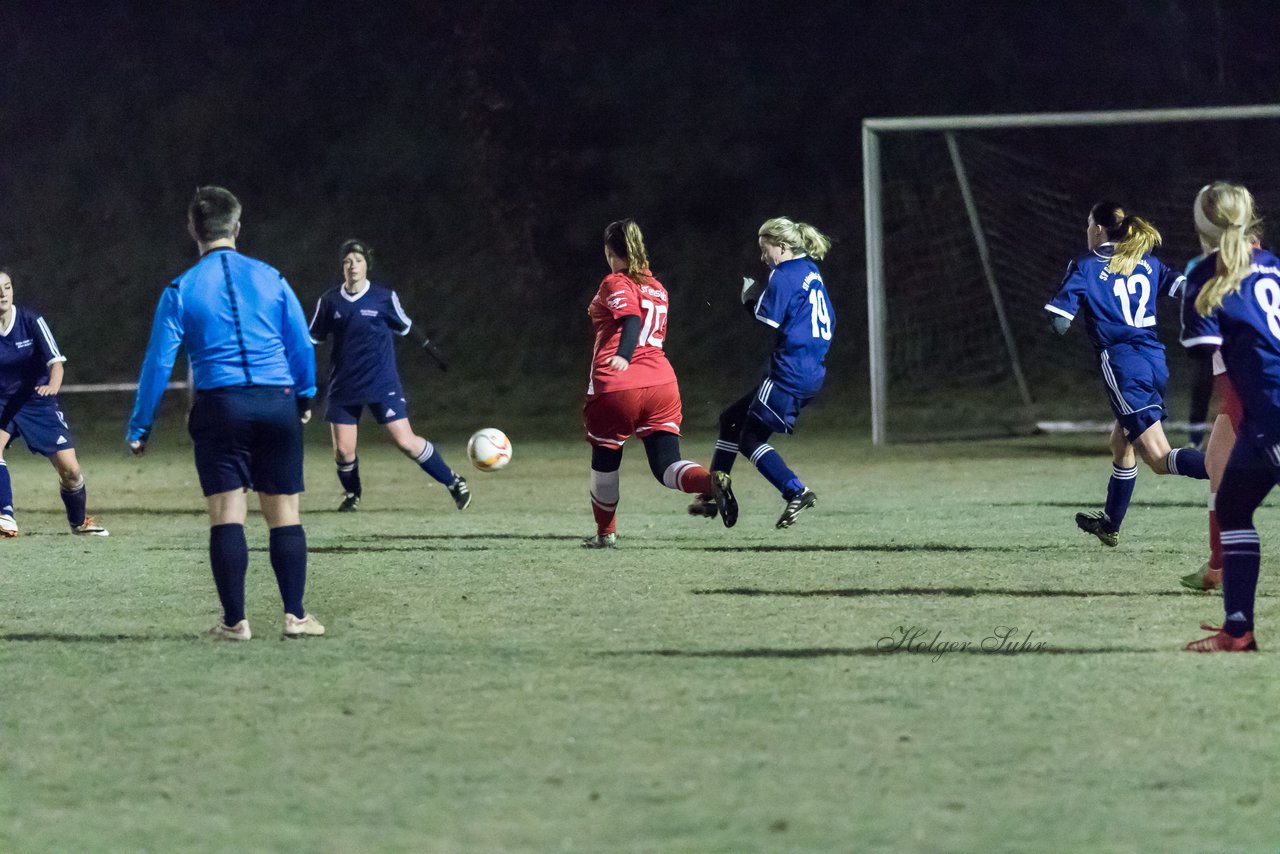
(1250, 327)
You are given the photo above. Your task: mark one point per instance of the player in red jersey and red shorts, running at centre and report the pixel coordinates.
(633, 390)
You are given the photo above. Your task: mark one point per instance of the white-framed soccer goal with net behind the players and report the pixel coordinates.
(971, 223)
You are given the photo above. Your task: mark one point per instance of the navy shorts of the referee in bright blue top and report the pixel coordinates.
(248, 439)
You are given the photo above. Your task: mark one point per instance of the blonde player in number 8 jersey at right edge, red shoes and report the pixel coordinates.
(1238, 290)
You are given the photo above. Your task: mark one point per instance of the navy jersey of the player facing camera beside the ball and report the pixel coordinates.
(363, 364)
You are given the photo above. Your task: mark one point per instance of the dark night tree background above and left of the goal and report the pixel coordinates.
(483, 147)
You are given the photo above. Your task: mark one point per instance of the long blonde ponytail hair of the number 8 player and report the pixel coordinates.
(1224, 218)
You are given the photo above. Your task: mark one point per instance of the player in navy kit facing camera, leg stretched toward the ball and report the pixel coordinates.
(363, 318)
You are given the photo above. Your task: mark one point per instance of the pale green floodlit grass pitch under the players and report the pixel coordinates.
(487, 686)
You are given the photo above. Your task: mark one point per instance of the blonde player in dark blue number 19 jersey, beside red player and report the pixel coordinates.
(794, 304)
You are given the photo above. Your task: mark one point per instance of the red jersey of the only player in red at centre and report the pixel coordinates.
(620, 296)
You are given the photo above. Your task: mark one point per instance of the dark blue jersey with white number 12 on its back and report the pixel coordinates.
(1118, 309)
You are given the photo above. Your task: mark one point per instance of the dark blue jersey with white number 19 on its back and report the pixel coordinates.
(796, 304)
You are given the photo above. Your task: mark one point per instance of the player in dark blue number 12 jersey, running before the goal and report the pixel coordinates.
(1116, 289)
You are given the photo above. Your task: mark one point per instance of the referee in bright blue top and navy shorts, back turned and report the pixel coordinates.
(255, 371)
